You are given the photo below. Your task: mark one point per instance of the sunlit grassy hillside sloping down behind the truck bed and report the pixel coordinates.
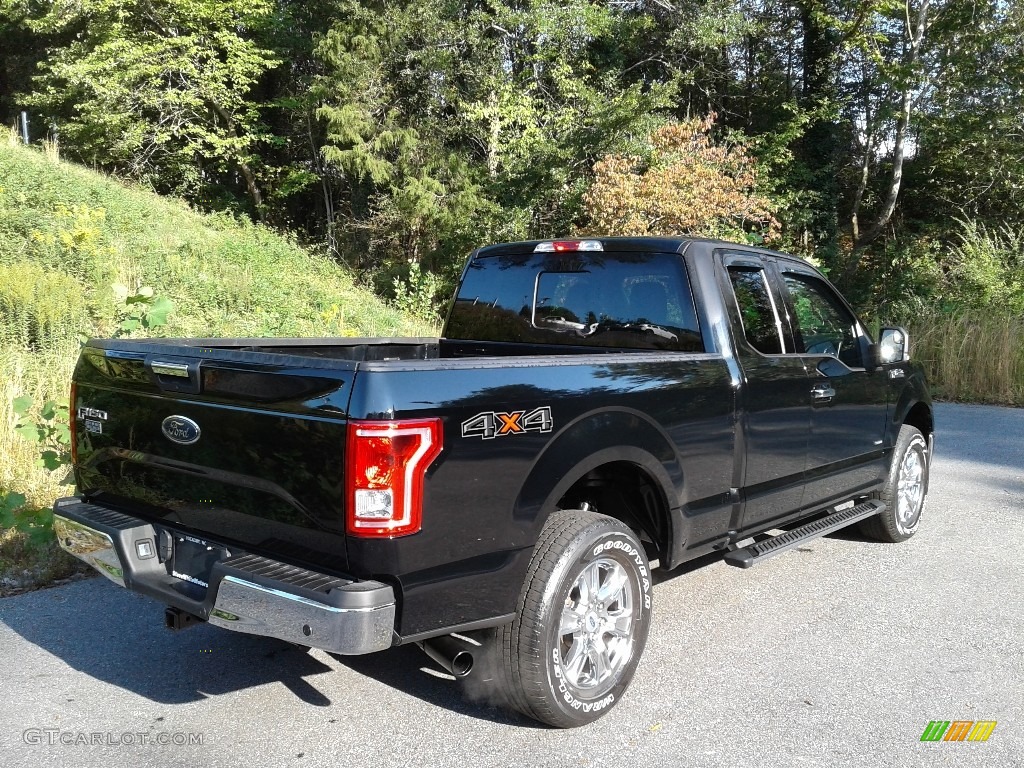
(74, 243)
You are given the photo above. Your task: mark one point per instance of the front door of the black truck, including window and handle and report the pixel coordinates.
(846, 453)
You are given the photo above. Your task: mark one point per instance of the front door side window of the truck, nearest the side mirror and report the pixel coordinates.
(823, 324)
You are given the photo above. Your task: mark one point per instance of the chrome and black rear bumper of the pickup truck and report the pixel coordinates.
(243, 592)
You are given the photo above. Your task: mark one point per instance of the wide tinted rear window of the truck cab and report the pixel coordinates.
(624, 301)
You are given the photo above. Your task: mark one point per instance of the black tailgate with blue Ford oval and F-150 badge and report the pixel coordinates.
(243, 448)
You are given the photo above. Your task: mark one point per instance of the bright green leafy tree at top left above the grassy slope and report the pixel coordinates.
(159, 90)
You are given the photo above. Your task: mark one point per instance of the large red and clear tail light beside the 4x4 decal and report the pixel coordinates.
(386, 465)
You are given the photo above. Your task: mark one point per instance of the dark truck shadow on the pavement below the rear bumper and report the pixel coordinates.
(119, 638)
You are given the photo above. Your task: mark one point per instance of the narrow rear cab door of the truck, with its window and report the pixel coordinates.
(776, 402)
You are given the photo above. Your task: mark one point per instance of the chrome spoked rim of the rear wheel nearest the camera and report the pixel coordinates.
(595, 634)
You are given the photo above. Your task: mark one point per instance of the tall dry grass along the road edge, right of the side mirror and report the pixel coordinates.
(972, 355)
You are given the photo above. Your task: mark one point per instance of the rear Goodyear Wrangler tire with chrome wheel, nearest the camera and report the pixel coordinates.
(582, 621)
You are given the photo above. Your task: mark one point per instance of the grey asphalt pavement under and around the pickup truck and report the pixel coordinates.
(838, 654)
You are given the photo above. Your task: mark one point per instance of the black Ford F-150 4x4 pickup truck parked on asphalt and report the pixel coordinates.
(592, 408)
